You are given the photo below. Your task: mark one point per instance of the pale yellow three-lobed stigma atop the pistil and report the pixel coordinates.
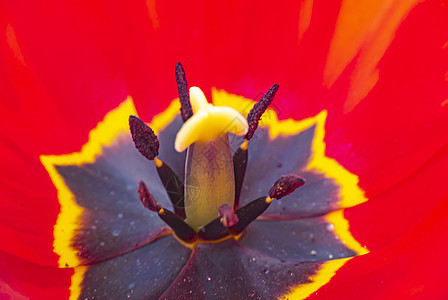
(208, 122)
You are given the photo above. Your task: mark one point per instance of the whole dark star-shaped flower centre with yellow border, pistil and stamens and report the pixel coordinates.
(223, 215)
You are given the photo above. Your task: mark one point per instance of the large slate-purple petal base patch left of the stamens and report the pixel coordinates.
(113, 221)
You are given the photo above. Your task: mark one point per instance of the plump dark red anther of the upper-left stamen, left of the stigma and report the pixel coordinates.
(144, 138)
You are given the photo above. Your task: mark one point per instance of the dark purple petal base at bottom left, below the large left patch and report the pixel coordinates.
(144, 273)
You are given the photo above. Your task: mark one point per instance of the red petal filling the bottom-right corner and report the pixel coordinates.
(413, 267)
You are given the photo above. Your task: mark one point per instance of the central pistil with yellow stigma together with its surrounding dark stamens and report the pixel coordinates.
(206, 203)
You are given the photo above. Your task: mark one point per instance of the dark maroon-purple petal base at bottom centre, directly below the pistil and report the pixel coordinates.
(226, 270)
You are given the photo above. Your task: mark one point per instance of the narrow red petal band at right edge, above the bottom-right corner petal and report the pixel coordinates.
(387, 217)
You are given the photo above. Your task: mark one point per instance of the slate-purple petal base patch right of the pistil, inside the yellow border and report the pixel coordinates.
(266, 164)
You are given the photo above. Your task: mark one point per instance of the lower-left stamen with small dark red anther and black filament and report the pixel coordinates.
(180, 228)
